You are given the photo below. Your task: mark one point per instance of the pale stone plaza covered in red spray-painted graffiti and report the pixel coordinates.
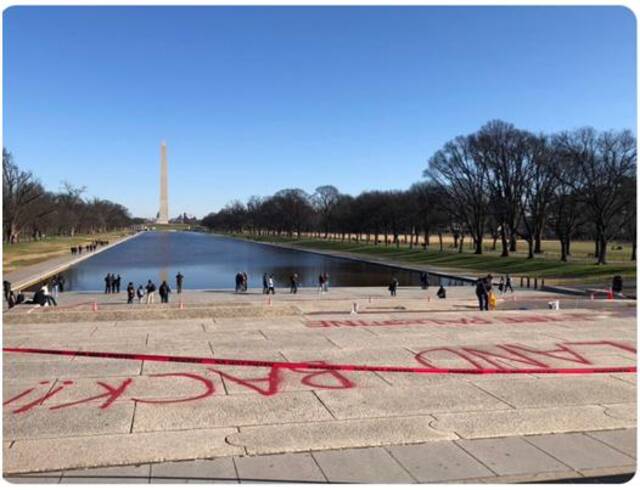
(347, 386)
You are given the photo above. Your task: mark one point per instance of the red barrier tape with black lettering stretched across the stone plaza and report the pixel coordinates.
(319, 366)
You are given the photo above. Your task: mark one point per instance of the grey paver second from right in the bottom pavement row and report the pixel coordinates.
(579, 451)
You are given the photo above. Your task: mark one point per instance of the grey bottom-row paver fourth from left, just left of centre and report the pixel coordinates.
(285, 468)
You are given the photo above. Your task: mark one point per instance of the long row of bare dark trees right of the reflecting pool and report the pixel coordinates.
(499, 182)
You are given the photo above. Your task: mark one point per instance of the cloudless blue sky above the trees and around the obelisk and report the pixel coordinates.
(253, 100)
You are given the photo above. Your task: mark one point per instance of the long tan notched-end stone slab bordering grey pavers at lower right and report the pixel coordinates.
(523, 421)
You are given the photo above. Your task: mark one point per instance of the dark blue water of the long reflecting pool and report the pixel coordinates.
(208, 261)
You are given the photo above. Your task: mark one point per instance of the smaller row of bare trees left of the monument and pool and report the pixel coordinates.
(29, 211)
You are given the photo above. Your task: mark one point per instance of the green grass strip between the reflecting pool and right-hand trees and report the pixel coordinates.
(580, 270)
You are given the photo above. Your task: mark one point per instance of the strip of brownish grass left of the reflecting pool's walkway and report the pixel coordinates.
(28, 253)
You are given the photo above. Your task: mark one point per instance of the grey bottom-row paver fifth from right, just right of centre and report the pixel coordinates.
(368, 465)
